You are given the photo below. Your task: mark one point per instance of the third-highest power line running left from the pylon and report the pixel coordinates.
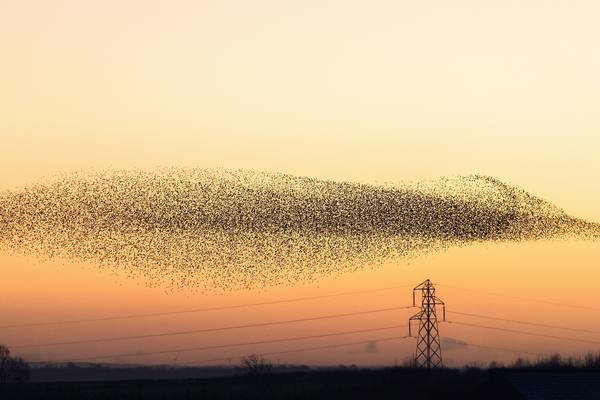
(222, 346)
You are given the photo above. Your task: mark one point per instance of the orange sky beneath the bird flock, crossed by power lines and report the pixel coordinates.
(557, 272)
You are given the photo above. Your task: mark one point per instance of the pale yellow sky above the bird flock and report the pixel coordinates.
(378, 90)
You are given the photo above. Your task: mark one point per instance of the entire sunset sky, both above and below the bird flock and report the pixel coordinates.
(377, 91)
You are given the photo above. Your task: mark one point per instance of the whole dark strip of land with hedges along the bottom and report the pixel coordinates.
(548, 379)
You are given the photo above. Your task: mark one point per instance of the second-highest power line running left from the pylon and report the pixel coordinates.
(270, 323)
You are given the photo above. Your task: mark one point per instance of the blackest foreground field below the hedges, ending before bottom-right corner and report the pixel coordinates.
(398, 383)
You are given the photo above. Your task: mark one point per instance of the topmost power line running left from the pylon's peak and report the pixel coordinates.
(195, 310)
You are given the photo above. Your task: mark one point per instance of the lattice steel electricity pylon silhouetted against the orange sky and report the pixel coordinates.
(429, 350)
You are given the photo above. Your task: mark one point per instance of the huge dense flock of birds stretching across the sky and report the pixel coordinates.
(224, 230)
